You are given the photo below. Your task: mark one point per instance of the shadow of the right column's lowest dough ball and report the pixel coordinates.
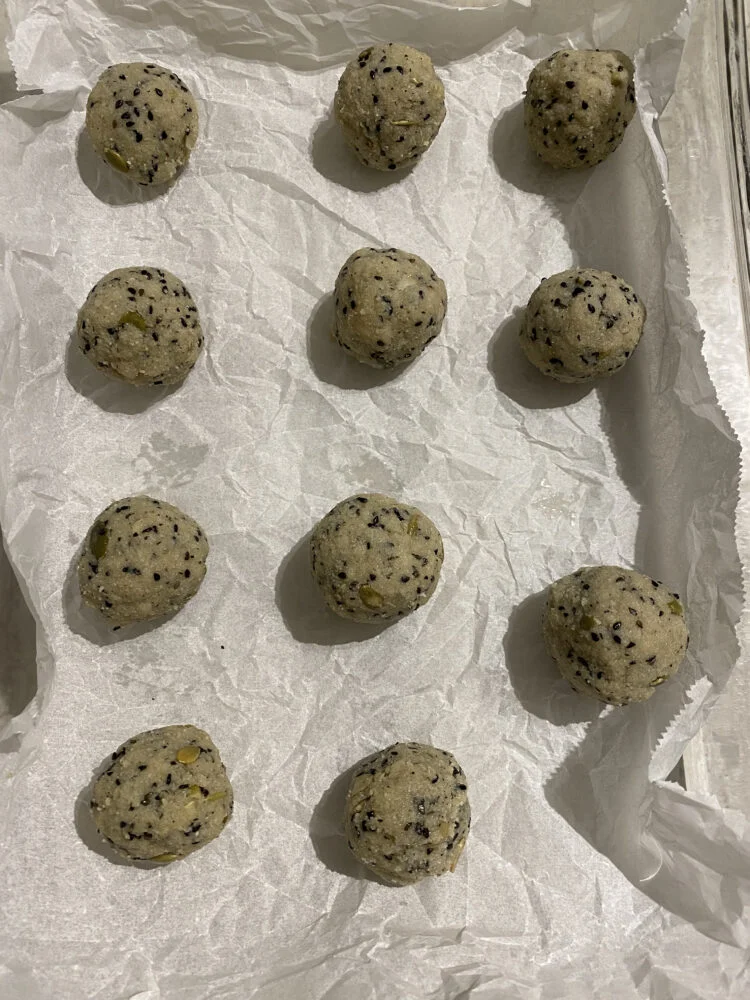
(536, 680)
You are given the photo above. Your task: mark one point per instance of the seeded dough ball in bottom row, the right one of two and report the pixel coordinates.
(407, 813)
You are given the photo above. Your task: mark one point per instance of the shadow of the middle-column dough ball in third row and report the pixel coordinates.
(305, 613)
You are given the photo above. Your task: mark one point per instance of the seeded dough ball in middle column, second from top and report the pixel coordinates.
(389, 306)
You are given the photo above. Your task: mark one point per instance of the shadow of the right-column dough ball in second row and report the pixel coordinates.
(518, 379)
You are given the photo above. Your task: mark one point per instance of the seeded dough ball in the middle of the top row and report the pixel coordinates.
(390, 105)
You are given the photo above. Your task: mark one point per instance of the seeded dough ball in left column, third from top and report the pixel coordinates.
(142, 559)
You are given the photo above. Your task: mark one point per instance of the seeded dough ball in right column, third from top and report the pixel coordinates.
(615, 634)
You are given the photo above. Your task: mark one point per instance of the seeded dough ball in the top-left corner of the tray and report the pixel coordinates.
(143, 121)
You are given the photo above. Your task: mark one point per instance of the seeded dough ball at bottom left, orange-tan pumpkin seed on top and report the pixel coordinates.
(165, 794)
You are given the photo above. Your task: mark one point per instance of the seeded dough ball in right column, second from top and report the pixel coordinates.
(582, 324)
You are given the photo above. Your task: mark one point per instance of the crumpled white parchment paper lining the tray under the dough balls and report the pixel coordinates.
(578, 848)
